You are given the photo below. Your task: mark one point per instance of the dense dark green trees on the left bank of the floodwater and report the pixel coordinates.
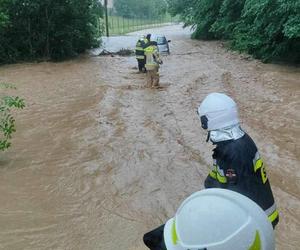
(54, 29)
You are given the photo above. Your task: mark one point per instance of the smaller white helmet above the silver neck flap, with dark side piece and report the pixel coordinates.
(218, 111)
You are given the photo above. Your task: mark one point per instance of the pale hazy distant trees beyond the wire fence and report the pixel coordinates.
(140, 8)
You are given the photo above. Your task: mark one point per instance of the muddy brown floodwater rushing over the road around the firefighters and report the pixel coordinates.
(98, 159)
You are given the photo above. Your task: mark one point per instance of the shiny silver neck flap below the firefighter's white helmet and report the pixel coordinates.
(230, 133)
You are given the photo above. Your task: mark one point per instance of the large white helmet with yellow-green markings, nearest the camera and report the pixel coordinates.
(219, 219)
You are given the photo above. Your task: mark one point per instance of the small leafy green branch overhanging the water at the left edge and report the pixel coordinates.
(7, 121)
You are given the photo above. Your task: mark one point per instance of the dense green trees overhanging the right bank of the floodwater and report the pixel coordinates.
(268, 29)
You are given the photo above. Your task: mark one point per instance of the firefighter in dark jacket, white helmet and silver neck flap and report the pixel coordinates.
(237, 165)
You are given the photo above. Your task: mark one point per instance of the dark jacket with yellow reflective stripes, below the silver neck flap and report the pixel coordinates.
(238, 167)
